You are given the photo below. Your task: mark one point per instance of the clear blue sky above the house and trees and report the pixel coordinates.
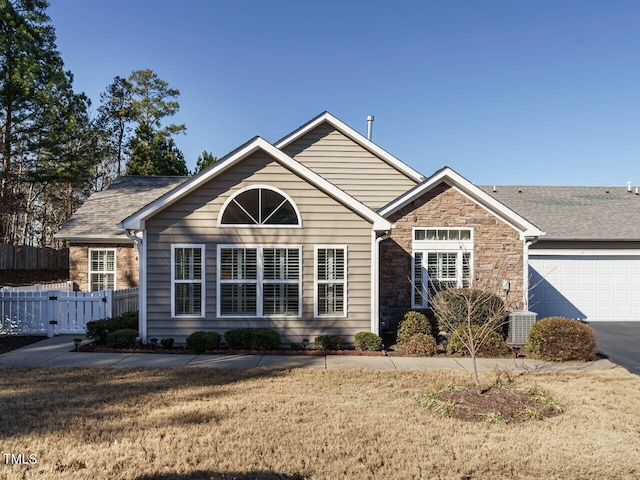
(504, 92)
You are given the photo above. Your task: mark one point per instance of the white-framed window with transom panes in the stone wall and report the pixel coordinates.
(442, 258)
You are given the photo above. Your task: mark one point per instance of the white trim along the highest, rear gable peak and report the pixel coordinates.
(356, 137)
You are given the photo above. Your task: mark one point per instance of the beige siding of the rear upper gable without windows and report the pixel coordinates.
(347, 165)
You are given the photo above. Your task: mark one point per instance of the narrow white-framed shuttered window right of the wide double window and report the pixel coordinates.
(331, 281)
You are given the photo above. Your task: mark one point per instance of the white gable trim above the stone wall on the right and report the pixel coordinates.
(450, 177)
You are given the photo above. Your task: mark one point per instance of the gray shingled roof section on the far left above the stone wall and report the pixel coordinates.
(96, 219)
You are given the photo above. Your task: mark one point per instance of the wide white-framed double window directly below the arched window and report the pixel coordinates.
(259, 281)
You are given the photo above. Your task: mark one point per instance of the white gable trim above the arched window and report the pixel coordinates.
(135, 221)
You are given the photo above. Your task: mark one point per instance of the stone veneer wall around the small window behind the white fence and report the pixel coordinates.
(126, 265)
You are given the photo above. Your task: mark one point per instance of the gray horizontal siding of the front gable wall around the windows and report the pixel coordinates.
(193, 220)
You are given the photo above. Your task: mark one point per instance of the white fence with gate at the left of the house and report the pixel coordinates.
(53, 312)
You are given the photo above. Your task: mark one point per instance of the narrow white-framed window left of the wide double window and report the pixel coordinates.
(187, 281)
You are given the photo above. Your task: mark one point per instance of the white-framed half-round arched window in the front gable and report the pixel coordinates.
(260, 205)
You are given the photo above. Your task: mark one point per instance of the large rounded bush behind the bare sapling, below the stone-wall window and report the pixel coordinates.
(485, 305)
